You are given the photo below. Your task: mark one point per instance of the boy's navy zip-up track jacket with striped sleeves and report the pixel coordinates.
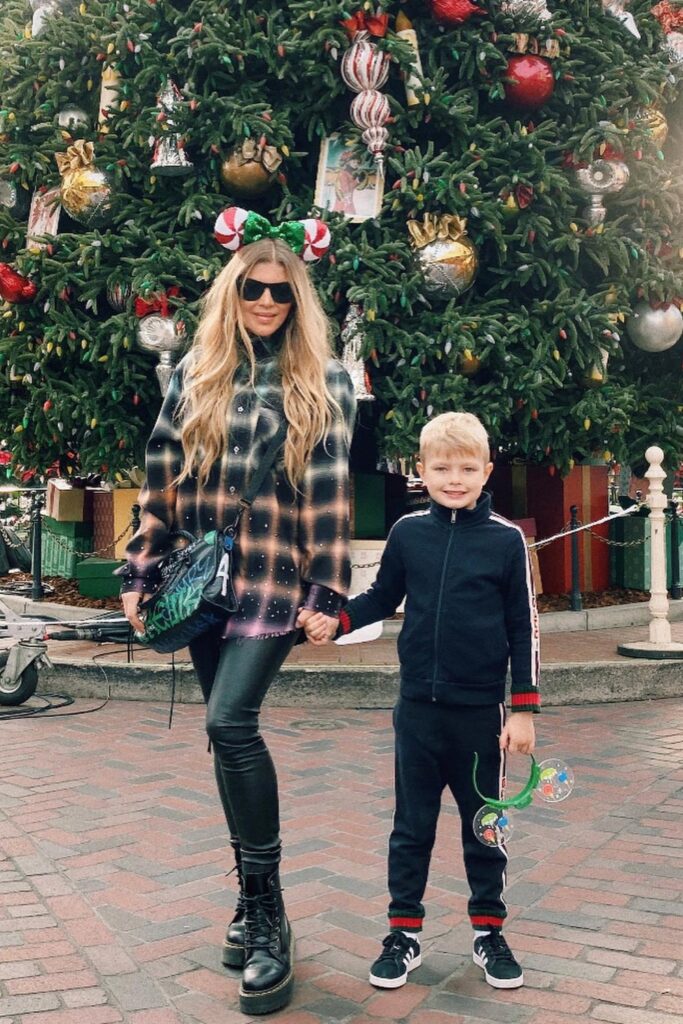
(471, 607)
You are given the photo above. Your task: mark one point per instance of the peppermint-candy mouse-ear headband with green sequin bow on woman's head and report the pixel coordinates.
(237, 228)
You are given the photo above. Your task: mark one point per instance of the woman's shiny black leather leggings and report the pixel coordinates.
(235, 676)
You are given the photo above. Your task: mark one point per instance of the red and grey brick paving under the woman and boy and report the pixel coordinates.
(114, 897)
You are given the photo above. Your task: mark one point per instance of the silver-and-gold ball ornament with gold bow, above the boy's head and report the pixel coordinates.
(449, 260)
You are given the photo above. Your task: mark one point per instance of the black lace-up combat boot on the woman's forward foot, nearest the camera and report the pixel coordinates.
(268, 978)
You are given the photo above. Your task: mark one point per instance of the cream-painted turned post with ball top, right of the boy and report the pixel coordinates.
(660, 645)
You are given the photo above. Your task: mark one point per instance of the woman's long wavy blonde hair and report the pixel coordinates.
(223, 343)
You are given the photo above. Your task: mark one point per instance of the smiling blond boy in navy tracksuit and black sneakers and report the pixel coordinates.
(471, 611)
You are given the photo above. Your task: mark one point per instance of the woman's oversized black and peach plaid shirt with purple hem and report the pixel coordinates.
(293, 547)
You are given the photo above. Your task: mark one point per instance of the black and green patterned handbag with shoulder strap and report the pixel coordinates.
(196, 593)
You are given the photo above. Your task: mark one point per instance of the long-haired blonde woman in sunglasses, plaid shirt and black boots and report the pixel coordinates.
(262, 354)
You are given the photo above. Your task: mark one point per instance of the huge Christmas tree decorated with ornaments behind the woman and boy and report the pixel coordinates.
(523, 260)
